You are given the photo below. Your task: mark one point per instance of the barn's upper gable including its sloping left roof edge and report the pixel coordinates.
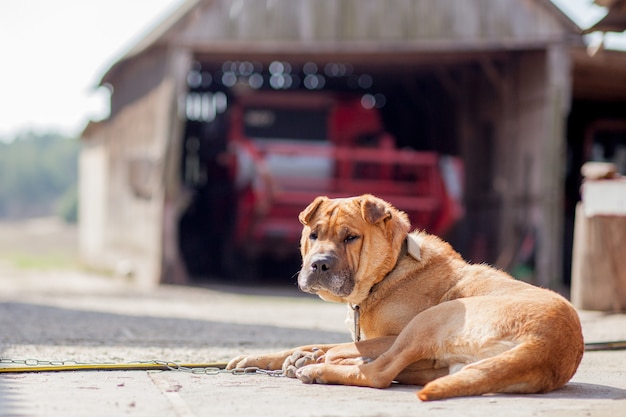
(352, 27)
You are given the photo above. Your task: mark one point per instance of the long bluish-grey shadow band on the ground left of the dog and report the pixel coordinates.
(24, 323)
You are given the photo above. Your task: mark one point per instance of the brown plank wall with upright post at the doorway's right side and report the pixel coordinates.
(542, 103)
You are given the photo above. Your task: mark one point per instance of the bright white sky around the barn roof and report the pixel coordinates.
(54, 53)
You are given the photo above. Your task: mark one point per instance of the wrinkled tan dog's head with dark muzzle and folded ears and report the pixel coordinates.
(348, 245)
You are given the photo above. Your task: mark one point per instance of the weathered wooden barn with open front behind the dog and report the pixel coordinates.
(505, 86)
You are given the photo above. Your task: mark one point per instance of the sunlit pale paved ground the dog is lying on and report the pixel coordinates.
(70, 315)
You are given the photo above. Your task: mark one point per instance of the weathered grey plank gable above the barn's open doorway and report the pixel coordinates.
(467, 21)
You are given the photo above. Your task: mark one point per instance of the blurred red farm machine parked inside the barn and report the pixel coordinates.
(292, 147)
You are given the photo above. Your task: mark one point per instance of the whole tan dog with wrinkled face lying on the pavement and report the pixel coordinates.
(427, 317)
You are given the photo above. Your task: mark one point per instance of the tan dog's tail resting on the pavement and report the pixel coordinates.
(507, 372)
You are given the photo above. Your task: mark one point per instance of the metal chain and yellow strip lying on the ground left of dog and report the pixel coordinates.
(168, 365)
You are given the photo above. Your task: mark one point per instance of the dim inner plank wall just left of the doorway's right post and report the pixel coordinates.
(520, 164)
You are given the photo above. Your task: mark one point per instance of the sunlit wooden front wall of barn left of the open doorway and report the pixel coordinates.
(136, 139)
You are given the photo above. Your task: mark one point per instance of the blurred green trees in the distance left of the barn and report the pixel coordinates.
(37, 175)
